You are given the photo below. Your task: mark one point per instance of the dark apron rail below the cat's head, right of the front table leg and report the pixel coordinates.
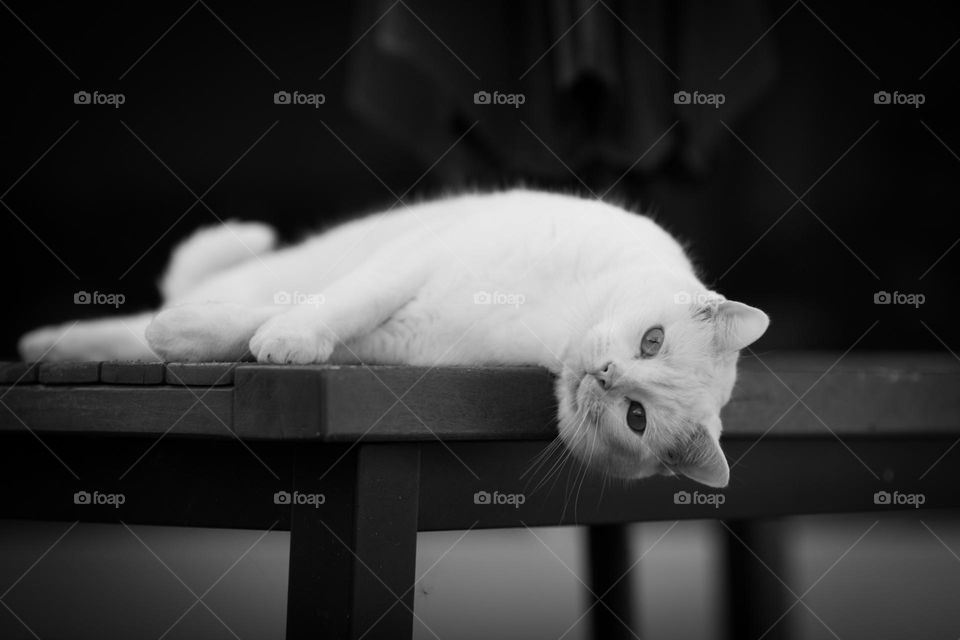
(774, 477)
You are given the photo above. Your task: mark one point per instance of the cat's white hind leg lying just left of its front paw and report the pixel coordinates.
(206, 332)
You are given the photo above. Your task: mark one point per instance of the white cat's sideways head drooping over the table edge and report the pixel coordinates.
(641, 390)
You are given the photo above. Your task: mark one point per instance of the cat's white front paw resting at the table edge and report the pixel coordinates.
(289, 339)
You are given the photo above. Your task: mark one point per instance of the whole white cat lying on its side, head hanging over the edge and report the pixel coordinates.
(645, 355)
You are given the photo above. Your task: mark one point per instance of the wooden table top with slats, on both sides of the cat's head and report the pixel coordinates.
(790, 394)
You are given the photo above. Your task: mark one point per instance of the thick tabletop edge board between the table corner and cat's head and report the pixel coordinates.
(345, 403)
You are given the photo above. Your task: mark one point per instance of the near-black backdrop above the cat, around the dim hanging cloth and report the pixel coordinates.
(199, 99)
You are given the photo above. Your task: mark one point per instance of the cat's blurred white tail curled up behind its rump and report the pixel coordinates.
(213, 249)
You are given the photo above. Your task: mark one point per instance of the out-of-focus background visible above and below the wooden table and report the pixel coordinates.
(806, 152)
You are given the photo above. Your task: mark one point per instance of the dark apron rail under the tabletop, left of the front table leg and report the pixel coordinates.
(172, 481)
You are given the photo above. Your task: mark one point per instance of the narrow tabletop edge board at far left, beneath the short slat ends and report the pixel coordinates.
(129, 410)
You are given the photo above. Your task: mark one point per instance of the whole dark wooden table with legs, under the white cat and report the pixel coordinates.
(354, 461)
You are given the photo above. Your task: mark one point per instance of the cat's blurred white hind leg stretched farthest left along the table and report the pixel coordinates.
(115, 338)
